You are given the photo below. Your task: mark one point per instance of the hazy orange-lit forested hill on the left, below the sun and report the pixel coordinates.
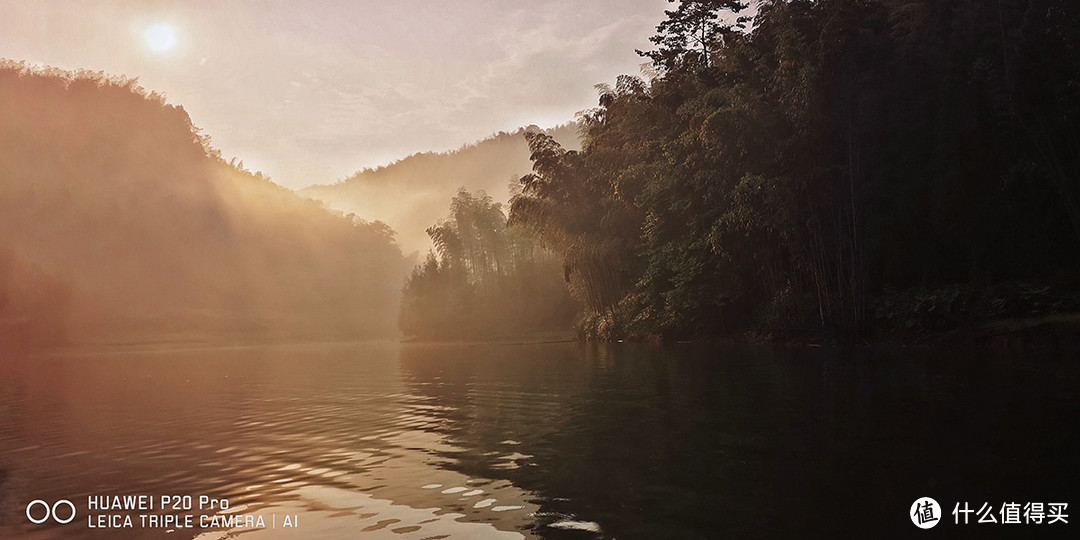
(120, 224)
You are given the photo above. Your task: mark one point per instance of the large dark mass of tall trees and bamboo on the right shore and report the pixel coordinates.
(839, 167)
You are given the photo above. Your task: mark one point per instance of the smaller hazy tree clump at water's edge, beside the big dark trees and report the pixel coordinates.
(485, 279)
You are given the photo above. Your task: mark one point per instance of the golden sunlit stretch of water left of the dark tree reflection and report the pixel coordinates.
(327, 435)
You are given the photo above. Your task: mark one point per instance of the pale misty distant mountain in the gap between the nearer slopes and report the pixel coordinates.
(412, 194)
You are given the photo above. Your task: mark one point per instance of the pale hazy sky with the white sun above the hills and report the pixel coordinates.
(310, 92)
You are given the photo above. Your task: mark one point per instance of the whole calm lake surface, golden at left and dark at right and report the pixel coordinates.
(542, 441)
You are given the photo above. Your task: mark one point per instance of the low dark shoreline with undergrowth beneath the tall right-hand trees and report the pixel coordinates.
(1006, 315)
